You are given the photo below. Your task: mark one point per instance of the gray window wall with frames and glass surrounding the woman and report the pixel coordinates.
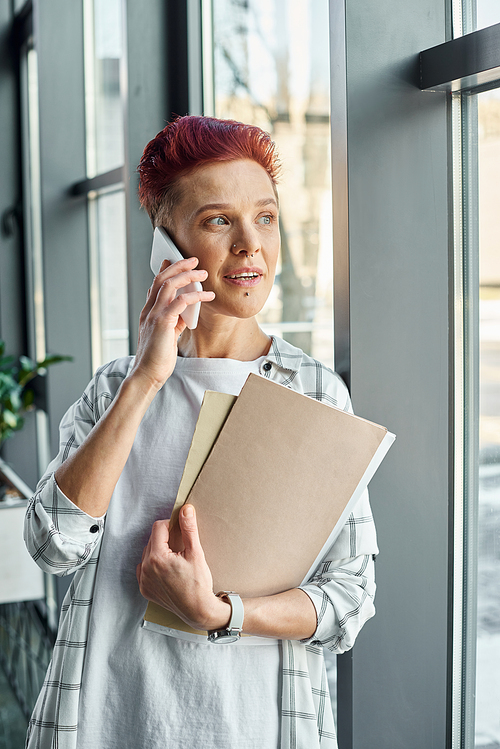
(387, 118)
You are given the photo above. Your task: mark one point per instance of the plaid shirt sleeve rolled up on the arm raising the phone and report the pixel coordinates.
(60, 536)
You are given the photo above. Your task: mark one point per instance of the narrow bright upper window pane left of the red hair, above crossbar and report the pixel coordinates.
(103, 53)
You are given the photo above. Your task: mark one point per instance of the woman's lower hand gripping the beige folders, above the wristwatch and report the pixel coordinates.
(181, 581)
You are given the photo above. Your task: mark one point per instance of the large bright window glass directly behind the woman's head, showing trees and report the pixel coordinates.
(271, 68)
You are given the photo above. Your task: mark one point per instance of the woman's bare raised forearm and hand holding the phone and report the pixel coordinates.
(89, 475)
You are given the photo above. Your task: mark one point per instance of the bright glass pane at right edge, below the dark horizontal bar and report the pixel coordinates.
(488, 593)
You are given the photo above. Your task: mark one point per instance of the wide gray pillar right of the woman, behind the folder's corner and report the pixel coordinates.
(399, 246)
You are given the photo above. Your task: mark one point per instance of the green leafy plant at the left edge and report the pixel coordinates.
(15, 397)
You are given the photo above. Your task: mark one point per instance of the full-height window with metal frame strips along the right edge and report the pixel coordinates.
(475, 109)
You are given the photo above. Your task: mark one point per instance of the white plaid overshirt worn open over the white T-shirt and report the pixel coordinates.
(59, 538)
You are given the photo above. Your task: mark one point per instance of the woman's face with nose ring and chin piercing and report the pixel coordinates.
(227, 217)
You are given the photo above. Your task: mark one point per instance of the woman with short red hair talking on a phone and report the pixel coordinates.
(212, 185)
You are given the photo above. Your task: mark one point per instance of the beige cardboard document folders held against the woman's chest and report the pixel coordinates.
(273, 475)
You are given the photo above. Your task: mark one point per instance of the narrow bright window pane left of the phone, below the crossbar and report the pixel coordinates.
(109, 278)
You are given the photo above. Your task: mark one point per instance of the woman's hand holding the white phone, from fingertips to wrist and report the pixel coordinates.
(160, 324)
